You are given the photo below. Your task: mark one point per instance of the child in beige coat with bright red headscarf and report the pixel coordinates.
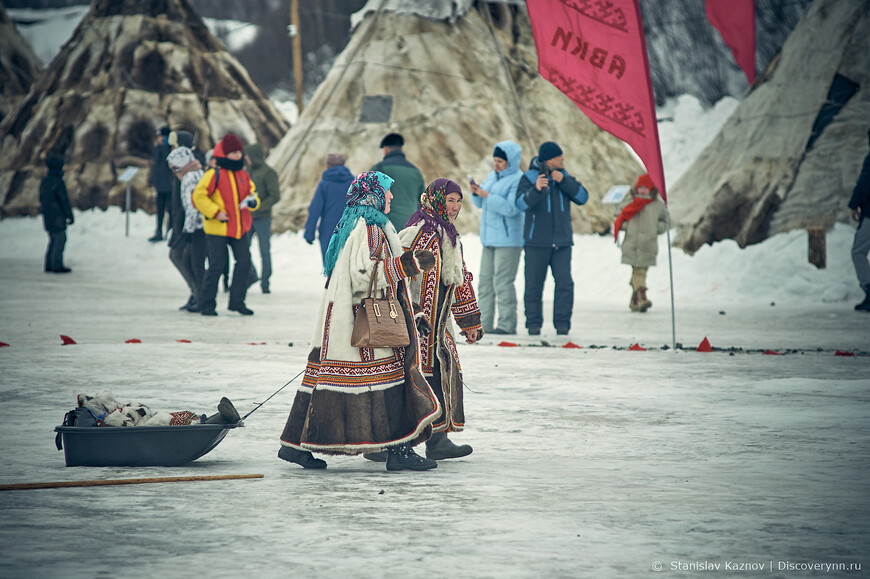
(643, 220)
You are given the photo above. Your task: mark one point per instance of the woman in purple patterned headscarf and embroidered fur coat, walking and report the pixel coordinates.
(443, 291)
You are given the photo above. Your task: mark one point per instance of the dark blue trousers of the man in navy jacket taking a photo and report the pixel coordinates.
(558, 260)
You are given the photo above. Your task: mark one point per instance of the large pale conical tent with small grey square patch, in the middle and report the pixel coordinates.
(453, 88)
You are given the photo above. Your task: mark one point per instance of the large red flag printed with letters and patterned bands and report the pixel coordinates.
(595, 53)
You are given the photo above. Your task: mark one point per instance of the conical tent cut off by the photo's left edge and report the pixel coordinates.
(19, 66)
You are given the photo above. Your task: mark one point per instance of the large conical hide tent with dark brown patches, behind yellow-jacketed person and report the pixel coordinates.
(129, 68)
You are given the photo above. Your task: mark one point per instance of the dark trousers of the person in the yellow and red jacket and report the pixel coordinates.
(217, 260)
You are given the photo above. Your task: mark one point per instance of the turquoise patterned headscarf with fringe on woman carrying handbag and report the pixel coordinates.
(366, 197)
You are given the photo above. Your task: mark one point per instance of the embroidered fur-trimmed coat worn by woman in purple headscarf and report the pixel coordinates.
(443, 291)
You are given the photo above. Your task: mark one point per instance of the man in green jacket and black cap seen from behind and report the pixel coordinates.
(408, 183)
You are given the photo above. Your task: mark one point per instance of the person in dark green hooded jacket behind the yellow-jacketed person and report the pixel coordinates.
(266, 180)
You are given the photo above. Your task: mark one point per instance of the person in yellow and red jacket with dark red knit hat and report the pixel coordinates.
(225, 196)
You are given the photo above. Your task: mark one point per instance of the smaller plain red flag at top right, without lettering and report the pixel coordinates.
(735, 21)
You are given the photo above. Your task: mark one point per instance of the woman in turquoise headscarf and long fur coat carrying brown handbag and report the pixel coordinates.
(357, 400)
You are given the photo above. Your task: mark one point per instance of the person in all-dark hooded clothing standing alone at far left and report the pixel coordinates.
(56, 213)
